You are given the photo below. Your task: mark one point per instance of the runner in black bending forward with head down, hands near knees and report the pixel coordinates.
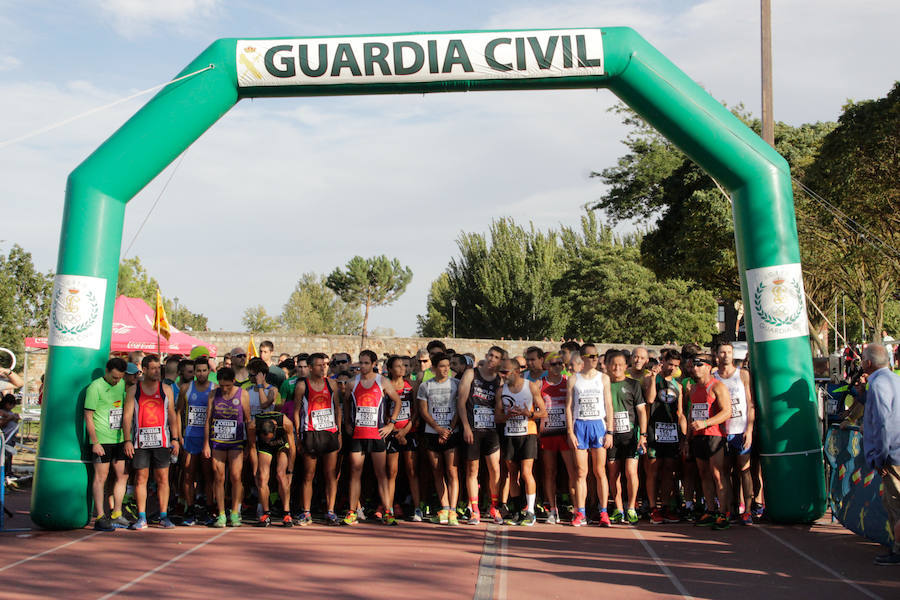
(274, 443)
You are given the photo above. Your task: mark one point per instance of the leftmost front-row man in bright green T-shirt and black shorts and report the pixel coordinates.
(103, 405)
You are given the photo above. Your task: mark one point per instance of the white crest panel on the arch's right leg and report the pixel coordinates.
(777, 302)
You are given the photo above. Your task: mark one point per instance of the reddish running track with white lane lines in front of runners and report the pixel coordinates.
(419, 560)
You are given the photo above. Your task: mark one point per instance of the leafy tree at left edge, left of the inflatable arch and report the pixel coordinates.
(24, 300)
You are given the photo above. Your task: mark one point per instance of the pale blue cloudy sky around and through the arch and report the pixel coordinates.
(399, 175)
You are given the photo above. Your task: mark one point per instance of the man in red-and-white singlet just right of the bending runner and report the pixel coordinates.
(317, 415)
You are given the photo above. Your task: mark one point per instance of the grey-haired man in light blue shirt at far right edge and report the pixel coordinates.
(881, 437)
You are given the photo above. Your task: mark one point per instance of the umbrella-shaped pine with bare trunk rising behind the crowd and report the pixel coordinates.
(369, 282)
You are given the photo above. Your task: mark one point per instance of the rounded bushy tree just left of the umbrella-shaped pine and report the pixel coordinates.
(313, 308)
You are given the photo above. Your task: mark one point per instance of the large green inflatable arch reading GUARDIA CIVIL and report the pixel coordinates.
(757, 178)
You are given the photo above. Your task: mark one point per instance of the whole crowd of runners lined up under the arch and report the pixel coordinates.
(566, 437)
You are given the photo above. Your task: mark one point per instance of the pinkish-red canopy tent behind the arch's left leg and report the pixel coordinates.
(133, 330)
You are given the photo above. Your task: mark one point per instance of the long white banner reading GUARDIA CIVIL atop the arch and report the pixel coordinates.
(419, 58)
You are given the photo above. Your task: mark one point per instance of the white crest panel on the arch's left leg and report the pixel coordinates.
(76, 312)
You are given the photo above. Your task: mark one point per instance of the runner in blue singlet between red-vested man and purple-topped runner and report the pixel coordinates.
(193, 400)
